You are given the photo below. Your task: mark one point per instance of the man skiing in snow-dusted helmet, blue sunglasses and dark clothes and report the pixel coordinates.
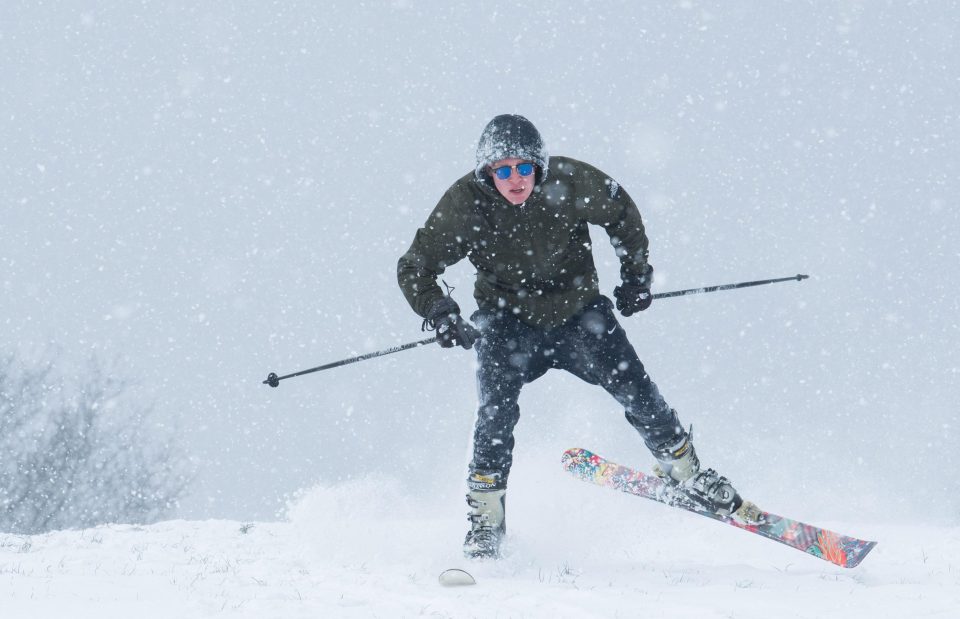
(521, 217)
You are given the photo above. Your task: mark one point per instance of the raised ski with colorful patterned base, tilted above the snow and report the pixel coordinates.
(838, 549)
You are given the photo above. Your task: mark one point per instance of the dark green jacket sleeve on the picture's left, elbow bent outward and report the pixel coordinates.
(441, 242)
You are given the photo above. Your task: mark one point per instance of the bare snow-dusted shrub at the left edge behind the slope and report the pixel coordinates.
(83, 455)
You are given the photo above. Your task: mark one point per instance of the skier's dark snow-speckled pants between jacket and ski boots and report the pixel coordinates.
(592, 346)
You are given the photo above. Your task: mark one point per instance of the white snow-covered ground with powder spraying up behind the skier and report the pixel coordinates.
(365, 549)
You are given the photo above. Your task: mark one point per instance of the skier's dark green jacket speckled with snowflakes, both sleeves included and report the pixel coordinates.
(534, 259)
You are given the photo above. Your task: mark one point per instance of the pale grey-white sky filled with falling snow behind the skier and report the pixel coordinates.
(205, 194)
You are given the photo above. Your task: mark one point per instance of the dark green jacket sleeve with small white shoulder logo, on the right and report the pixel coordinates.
(607, 204)
